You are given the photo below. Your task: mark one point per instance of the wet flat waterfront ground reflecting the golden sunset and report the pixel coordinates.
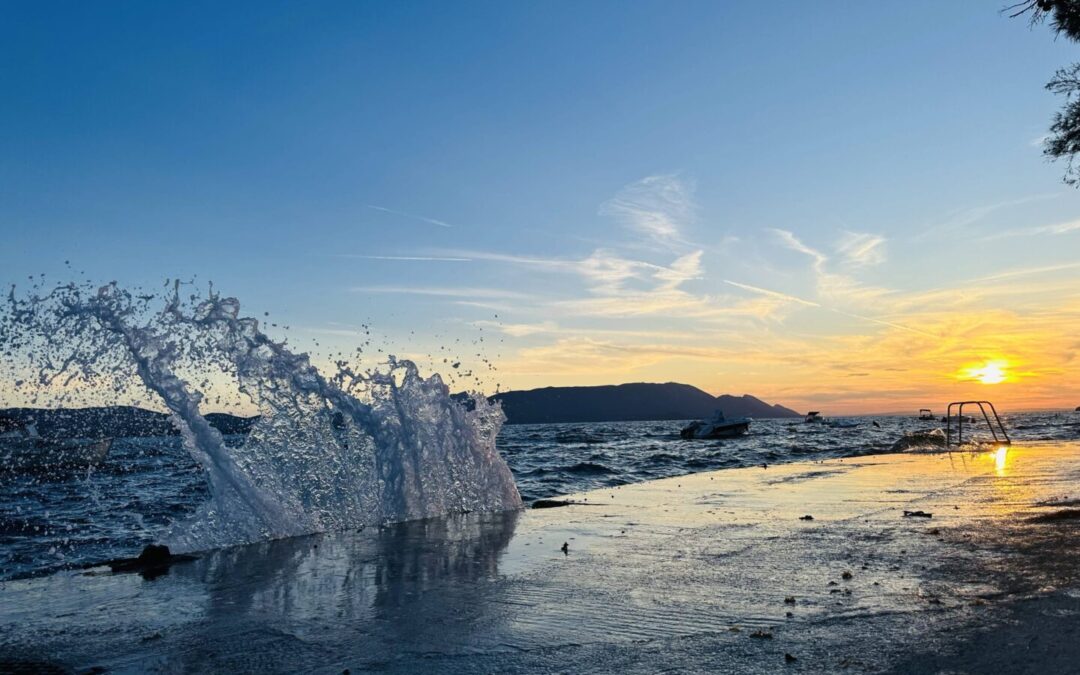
(707, 573)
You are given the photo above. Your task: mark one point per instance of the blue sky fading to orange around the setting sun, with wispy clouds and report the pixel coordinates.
(840, 207)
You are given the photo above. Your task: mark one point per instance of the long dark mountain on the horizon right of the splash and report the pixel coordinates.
(639, 401)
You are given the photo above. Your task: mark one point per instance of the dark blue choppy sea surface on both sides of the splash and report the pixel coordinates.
(148, 485)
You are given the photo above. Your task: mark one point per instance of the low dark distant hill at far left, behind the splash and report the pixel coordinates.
(112, 422)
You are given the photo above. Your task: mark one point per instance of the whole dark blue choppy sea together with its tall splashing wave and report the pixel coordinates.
(349, 451)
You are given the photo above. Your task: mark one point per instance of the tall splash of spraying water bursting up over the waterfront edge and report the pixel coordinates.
(326, 454)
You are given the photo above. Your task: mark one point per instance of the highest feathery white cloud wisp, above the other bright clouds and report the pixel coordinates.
(657, 207)
